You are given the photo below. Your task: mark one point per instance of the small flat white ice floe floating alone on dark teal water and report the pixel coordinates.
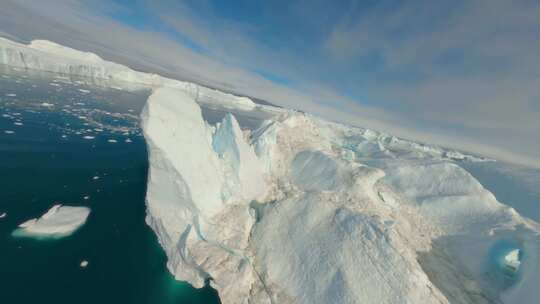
(59, 221)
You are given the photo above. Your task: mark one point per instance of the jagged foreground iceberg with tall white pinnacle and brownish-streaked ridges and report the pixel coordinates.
(317, 235)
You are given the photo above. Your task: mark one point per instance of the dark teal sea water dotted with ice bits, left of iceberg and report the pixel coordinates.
(45, 159)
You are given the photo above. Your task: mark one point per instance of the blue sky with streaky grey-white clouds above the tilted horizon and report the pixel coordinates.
(457, 73)
